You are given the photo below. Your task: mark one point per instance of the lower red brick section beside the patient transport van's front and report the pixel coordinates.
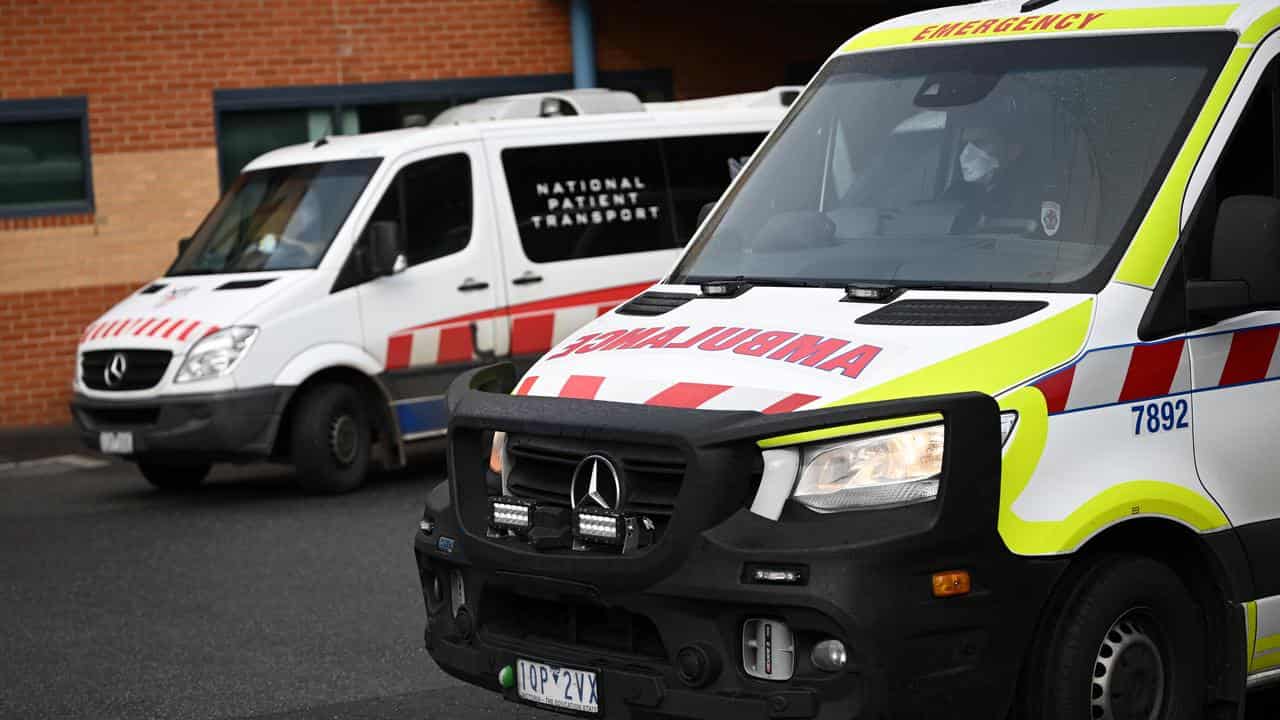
(39, 332)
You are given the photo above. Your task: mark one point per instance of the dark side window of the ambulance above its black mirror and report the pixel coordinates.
(1249, 166)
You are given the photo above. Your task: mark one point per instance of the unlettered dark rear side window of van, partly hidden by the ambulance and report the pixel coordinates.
(701, 170)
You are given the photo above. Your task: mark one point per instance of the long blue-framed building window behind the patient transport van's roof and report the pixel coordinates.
(253, 122)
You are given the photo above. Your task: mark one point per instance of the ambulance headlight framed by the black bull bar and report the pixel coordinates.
(893, 470)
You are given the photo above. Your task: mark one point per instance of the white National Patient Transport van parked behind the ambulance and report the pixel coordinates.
(322, 309)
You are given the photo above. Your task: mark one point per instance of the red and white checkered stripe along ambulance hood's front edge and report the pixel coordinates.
(703, 397)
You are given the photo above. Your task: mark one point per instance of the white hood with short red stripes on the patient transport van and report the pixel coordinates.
(176, 312)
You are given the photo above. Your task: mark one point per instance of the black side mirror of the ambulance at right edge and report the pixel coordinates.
(1245, 263)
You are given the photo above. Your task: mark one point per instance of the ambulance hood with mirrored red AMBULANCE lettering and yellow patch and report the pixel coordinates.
(779, 350)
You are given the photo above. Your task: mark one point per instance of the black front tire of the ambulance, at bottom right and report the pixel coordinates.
(1126, 632)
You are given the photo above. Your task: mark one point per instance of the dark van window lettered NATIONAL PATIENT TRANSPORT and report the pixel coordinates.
(589, 200)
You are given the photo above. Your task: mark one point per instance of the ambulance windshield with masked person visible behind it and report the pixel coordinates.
(1012, 166)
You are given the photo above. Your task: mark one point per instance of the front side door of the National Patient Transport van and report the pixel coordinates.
(444, 313)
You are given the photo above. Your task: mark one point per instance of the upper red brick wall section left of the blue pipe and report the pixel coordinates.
(149, 67)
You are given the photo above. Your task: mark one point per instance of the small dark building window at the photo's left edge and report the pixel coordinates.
(42, 163)
